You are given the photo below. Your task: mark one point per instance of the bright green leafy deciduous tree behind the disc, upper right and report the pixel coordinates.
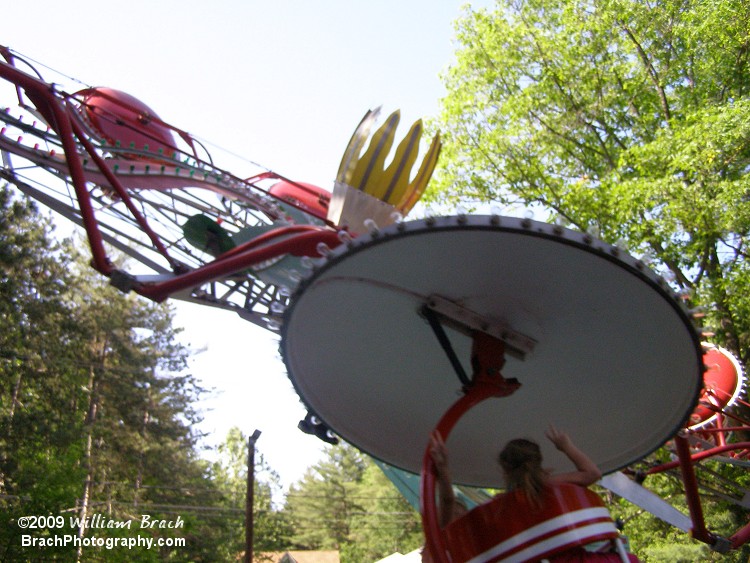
(627, 119)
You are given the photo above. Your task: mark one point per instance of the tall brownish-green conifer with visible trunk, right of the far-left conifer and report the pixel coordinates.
(138, 414)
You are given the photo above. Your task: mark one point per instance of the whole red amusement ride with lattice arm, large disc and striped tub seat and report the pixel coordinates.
(479, 327)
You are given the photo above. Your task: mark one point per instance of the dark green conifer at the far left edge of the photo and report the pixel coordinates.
(40, 388)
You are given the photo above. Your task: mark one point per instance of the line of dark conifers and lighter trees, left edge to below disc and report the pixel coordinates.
(97, 417)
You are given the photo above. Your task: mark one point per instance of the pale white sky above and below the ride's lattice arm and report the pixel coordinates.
(281, 83)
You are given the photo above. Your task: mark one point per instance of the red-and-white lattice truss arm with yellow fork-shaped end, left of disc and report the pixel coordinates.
(191, 230)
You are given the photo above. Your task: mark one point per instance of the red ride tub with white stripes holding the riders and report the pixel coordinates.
(509, 528)
